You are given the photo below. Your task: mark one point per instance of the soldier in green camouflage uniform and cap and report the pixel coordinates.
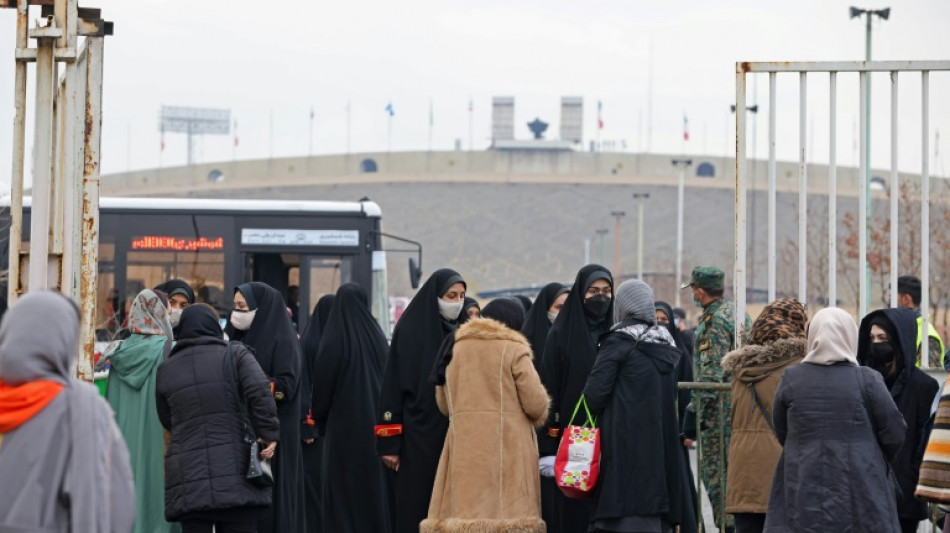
(715, 337)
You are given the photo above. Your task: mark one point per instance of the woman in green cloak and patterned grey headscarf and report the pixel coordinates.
(131, 393)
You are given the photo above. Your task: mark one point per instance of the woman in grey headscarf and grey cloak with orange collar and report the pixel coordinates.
(64, 463)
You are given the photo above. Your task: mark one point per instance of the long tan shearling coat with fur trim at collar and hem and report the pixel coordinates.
(488, 474)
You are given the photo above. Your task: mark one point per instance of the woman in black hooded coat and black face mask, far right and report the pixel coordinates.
(887, 342)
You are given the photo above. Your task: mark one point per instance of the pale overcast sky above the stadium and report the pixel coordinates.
(271, 63)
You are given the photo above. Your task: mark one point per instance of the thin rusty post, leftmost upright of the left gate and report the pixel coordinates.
(19, 141)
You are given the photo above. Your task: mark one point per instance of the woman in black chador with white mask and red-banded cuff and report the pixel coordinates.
(410, 428)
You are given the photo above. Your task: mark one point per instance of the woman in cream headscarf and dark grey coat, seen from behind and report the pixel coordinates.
(836, 438)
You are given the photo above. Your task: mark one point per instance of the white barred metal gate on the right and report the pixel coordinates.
(833, 69)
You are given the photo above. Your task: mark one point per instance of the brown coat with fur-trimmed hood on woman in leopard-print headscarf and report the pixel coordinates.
(754, 450)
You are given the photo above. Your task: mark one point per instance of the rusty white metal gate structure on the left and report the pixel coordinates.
(64, 221)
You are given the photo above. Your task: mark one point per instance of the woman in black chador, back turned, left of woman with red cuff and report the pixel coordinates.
(348, 374)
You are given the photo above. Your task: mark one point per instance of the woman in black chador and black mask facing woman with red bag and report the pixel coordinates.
(568, 358)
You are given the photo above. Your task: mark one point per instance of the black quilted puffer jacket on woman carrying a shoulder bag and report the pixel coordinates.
(197, 400)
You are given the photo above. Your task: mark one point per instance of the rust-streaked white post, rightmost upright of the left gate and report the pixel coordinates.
(90, 203)
